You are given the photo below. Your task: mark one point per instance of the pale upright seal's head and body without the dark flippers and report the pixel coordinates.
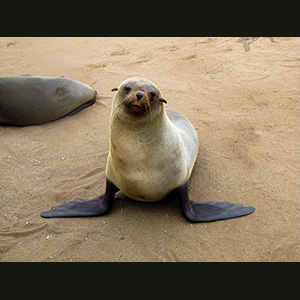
(148, 155)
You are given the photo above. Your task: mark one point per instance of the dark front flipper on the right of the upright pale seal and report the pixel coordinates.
(211, 210)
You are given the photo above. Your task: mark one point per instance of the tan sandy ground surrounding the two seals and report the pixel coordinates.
(244, 106)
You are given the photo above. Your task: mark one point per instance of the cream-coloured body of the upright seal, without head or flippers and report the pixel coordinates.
(150, 159)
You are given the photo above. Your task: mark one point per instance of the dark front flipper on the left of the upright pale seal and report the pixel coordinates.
(84, 208)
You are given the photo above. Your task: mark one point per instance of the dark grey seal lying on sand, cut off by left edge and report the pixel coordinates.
(29, 100)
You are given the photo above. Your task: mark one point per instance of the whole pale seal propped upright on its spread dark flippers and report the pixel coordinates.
(152, 154)
